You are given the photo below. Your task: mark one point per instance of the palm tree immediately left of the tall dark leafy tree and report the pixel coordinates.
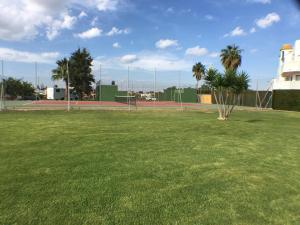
(61, 73)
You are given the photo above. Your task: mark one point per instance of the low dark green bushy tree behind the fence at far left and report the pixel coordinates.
(17, 87)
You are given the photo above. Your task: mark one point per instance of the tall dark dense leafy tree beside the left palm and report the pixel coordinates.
(81, 77)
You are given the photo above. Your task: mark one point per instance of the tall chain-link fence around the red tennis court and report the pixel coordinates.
(124, 88)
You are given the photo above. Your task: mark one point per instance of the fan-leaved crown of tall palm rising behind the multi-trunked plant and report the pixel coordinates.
(231, 57)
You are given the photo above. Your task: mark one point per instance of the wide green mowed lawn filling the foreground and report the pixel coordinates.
(102, 167)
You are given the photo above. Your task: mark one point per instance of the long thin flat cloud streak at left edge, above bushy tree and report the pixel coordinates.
(28, 57)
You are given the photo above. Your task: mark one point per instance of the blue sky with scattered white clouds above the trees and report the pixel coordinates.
(168, 36)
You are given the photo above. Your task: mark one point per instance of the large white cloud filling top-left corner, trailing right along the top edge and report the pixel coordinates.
(25, 19)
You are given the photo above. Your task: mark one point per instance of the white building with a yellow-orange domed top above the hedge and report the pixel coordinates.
(289, 68)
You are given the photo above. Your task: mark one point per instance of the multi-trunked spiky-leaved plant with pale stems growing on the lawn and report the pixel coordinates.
(226, 89)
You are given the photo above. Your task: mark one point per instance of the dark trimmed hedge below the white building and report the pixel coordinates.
(286, 100)
